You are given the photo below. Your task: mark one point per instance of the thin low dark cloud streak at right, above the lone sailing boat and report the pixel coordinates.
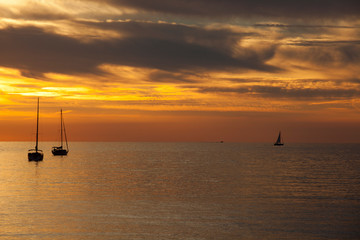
(281, 92)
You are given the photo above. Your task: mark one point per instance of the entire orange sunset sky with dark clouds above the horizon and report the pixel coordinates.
(181, 70)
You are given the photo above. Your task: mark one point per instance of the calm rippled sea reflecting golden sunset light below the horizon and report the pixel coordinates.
(195, 191)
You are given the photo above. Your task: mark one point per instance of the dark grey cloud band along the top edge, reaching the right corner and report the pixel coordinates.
(246, 8)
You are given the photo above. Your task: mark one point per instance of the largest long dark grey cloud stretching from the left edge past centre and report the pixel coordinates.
(35, 51)
